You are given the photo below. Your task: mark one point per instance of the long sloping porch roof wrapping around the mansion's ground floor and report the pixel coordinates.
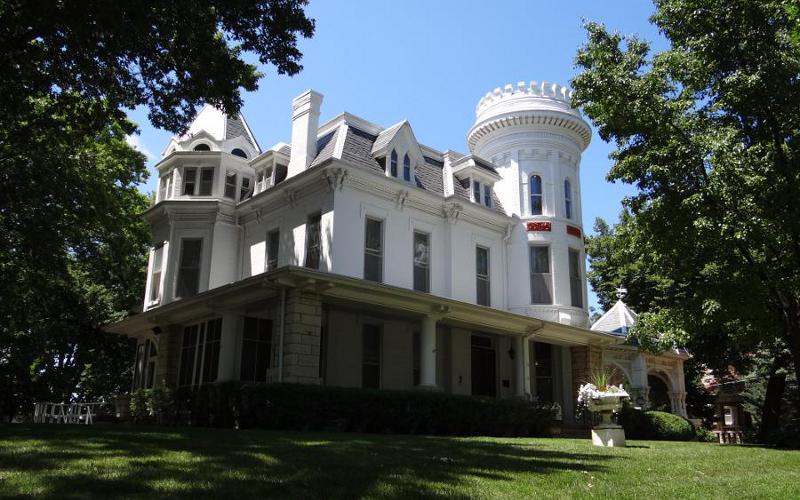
(345, 290)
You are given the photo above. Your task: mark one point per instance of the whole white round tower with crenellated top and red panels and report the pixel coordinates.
(535, 137)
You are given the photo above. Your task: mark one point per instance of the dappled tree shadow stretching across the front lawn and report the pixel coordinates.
(100, 462)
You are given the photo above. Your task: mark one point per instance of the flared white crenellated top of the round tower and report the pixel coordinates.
(543, 105)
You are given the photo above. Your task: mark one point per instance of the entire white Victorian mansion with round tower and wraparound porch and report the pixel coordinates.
(357, 256)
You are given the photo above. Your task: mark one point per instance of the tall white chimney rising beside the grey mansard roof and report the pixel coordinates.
(305, 121)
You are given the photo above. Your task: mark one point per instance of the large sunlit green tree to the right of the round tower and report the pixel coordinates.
(709, 132)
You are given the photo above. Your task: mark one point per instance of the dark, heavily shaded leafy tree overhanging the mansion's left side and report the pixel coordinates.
(73, 246)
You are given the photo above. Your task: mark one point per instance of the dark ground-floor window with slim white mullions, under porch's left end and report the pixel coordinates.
(200, 353)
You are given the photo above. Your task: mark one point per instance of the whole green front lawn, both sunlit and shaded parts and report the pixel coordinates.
(117, 461)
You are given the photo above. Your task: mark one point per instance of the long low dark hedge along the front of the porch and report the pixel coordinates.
(311, 407)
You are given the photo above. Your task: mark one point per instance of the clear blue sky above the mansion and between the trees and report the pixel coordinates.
(429, 62)
